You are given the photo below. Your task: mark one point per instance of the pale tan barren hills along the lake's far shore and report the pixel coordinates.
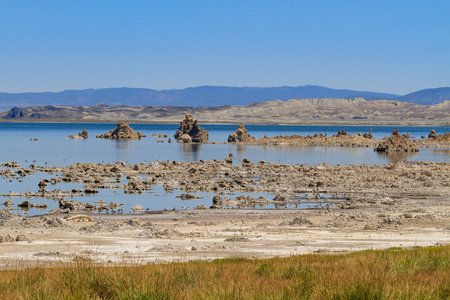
(296, 111)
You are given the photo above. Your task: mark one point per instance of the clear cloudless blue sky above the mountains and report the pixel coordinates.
(384, 46)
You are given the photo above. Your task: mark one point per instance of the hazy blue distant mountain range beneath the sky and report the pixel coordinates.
(205, 96)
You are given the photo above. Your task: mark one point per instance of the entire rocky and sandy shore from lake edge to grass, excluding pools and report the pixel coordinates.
(397, 205)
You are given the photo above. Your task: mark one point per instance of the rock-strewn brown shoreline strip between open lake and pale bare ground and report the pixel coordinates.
(219, 176)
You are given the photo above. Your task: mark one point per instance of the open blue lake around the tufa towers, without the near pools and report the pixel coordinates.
(54, 148)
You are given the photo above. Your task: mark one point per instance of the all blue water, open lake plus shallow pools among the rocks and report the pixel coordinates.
(54, 149)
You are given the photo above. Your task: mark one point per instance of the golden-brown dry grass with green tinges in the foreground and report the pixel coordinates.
(421, 273)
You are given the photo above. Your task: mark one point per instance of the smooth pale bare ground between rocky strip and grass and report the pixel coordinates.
(212, 234)
